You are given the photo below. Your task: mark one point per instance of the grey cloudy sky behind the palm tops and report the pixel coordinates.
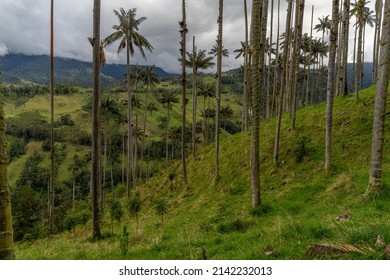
(24, 27)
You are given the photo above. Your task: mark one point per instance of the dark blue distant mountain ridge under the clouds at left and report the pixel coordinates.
(18, 68)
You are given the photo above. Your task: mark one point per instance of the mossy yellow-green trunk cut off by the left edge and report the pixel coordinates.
(6, 231)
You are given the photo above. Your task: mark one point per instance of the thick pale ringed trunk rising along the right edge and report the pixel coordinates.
(380, 106)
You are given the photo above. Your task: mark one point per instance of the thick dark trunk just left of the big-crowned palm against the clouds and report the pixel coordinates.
(95, 176)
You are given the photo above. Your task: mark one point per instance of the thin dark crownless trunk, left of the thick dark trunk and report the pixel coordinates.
(51, 192)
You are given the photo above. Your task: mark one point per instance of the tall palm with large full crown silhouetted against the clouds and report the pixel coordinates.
(128, 33)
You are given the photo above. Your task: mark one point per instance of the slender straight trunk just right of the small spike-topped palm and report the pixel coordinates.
(218, 89)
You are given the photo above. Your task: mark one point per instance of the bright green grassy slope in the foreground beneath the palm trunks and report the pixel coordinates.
(300, 201)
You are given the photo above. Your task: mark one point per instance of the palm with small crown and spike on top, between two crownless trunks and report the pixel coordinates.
(197, 60)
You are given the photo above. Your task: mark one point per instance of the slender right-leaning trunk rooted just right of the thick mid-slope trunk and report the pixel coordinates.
(283, 80)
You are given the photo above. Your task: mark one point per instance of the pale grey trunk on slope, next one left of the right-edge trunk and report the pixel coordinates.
(330, 84)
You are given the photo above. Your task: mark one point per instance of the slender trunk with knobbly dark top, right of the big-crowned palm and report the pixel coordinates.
(183, 31)
